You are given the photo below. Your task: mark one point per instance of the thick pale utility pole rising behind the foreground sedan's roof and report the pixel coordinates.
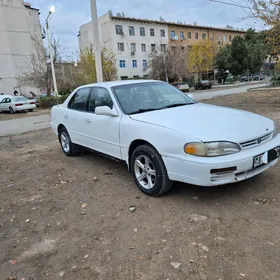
(97, 48)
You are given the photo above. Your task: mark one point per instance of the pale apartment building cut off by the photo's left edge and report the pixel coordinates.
(20, 33)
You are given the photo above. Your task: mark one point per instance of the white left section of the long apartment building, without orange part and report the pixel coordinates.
(131, 39)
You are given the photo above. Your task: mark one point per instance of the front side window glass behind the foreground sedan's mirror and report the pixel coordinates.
(99, 97)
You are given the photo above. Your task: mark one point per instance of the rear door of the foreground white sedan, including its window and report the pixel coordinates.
(75, 116)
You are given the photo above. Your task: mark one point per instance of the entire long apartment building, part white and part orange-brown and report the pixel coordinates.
(133, 40)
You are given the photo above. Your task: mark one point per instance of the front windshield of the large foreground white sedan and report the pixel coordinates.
(149, 96)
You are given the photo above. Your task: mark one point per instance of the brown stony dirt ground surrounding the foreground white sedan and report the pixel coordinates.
(68, 218)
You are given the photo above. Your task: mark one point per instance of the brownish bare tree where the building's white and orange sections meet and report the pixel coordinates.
(168, 65)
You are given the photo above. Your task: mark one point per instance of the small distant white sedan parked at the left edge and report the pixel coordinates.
(13, 104)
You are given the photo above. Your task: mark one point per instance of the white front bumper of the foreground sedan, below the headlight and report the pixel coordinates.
(197, 170)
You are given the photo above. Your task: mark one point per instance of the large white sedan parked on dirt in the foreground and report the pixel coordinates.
(163, 135)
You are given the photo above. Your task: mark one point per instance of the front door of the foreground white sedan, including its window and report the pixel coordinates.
(103, 131)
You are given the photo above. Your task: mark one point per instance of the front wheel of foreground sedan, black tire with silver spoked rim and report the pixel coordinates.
(147, 164)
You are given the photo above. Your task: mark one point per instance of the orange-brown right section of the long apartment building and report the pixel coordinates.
(184, 36)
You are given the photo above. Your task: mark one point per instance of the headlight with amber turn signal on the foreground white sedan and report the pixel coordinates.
(211, 149)
